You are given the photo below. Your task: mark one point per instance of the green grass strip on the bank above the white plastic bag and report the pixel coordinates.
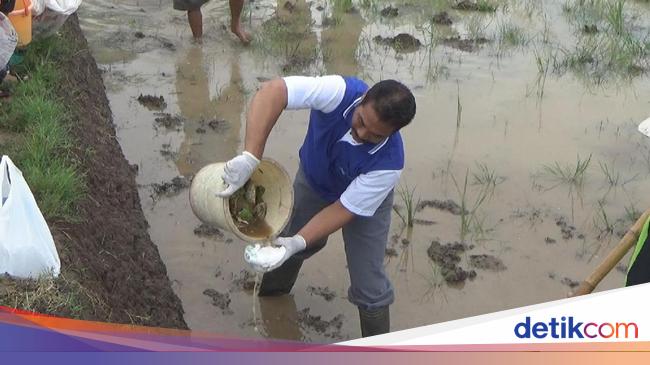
(41, 119)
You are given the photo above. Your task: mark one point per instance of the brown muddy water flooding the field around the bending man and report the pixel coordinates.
(491, 108)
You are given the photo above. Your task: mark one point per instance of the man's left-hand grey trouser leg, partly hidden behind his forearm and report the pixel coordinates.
(306, 204)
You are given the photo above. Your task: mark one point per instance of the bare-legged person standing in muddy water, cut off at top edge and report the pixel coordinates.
(195, 17)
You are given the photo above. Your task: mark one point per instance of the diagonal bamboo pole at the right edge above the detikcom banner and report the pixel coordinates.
(613, 258)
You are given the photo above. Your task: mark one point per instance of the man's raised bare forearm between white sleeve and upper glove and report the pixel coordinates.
(265, 109)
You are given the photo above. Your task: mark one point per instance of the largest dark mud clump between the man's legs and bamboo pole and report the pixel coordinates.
(447, 257)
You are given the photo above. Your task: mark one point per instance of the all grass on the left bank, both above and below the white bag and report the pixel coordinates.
(43, 150)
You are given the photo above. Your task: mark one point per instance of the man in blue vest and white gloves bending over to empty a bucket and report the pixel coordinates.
(350, 162)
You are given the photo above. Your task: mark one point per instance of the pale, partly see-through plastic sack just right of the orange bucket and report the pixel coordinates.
(50, 15)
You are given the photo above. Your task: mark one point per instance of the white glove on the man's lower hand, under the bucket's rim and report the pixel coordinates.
(264, 259)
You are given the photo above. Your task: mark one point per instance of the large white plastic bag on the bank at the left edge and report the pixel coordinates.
(26, 246)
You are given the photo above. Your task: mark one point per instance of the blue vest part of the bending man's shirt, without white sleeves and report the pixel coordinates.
(329, 164)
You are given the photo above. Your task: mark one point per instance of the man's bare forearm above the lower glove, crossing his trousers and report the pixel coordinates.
(327, 221)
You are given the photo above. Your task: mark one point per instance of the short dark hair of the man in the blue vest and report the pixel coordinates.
(392, 101)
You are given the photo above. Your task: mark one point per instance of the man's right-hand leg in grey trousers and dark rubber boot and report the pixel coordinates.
(370, 289)
